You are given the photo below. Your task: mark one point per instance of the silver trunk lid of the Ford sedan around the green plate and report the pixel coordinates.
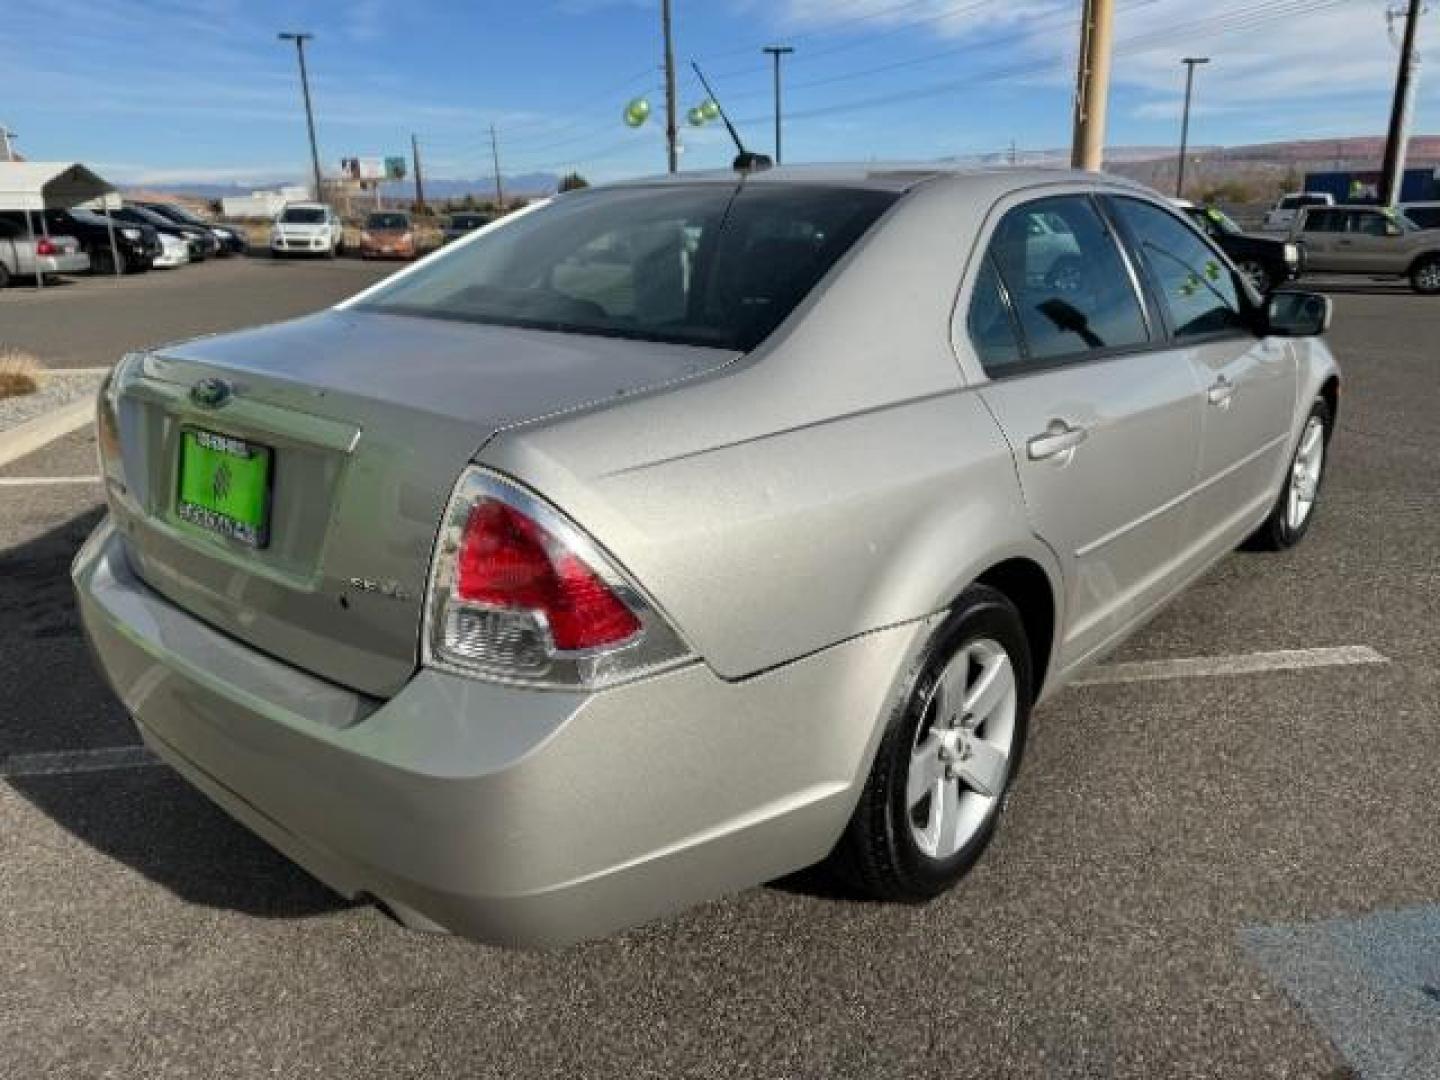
(369, 420)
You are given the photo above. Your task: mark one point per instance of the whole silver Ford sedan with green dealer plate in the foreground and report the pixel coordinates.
(678, 535)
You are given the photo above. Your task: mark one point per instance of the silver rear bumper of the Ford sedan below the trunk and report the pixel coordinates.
(519, 817)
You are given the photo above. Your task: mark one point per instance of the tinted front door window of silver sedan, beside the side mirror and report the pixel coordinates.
(1194, 283)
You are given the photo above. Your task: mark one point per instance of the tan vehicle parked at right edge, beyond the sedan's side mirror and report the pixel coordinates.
(1370, 240)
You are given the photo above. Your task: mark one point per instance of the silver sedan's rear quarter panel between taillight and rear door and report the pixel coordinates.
(839, 480)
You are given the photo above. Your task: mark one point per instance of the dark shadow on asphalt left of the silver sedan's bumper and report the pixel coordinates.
(143, 817)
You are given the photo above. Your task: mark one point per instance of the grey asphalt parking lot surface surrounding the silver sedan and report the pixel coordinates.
(1206, 875)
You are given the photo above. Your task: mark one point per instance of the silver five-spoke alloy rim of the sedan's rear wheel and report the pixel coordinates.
(963, 751)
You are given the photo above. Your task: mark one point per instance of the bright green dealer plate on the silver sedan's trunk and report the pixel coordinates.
(225, 486)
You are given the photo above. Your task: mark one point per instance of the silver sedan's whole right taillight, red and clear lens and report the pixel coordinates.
(518, 593)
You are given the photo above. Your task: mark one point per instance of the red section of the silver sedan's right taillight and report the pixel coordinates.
(510, 562)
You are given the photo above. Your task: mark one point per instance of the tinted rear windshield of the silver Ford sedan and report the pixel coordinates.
(705, 266)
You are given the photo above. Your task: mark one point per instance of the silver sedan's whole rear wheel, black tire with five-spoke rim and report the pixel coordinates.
(924, 820)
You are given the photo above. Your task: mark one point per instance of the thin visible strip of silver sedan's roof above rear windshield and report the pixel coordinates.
(895, 176)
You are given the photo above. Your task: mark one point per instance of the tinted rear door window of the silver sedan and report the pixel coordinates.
(1066, 280)
